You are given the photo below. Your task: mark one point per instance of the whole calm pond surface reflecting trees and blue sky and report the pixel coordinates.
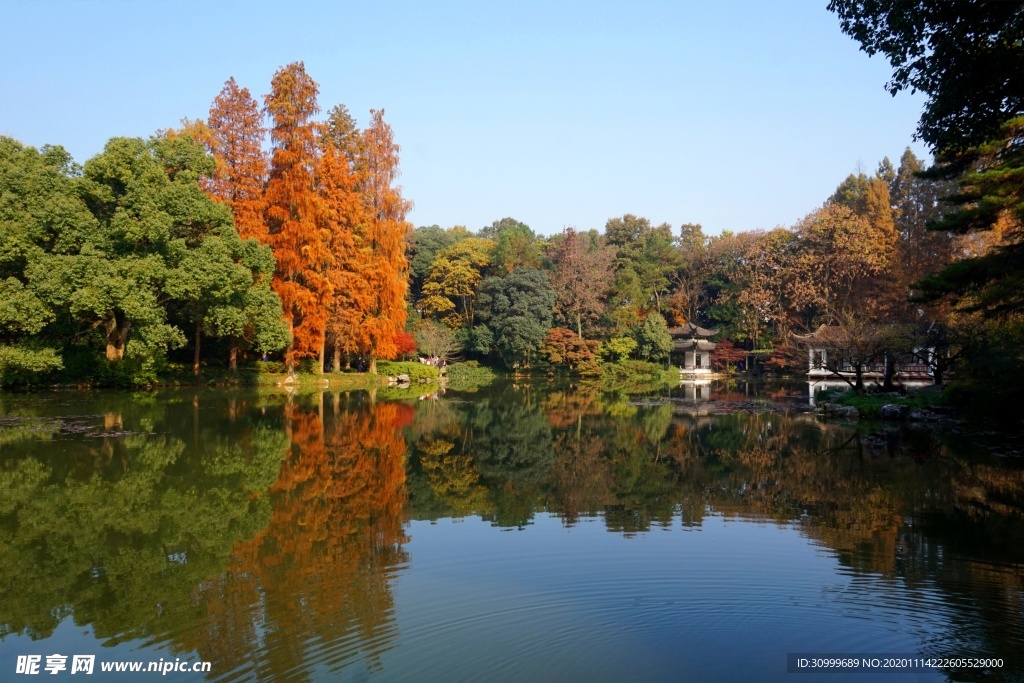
(521, 533)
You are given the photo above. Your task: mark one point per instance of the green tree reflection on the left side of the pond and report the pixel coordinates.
(116, 526)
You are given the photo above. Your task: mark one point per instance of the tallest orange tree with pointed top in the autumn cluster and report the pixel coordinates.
(293, 214)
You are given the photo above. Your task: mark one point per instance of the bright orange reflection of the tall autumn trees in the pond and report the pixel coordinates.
(320, 573)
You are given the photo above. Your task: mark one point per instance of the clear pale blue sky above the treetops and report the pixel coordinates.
(735, 115)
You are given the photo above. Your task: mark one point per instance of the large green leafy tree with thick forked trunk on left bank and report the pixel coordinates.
(114, 280)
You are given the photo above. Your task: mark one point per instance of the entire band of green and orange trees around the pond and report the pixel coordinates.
(269, 234)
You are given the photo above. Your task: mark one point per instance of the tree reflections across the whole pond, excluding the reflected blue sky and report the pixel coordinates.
(270, 534)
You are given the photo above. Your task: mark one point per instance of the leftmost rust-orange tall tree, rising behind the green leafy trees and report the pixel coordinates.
(236, 140)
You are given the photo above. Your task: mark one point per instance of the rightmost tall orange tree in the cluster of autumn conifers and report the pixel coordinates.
(388, 271)
